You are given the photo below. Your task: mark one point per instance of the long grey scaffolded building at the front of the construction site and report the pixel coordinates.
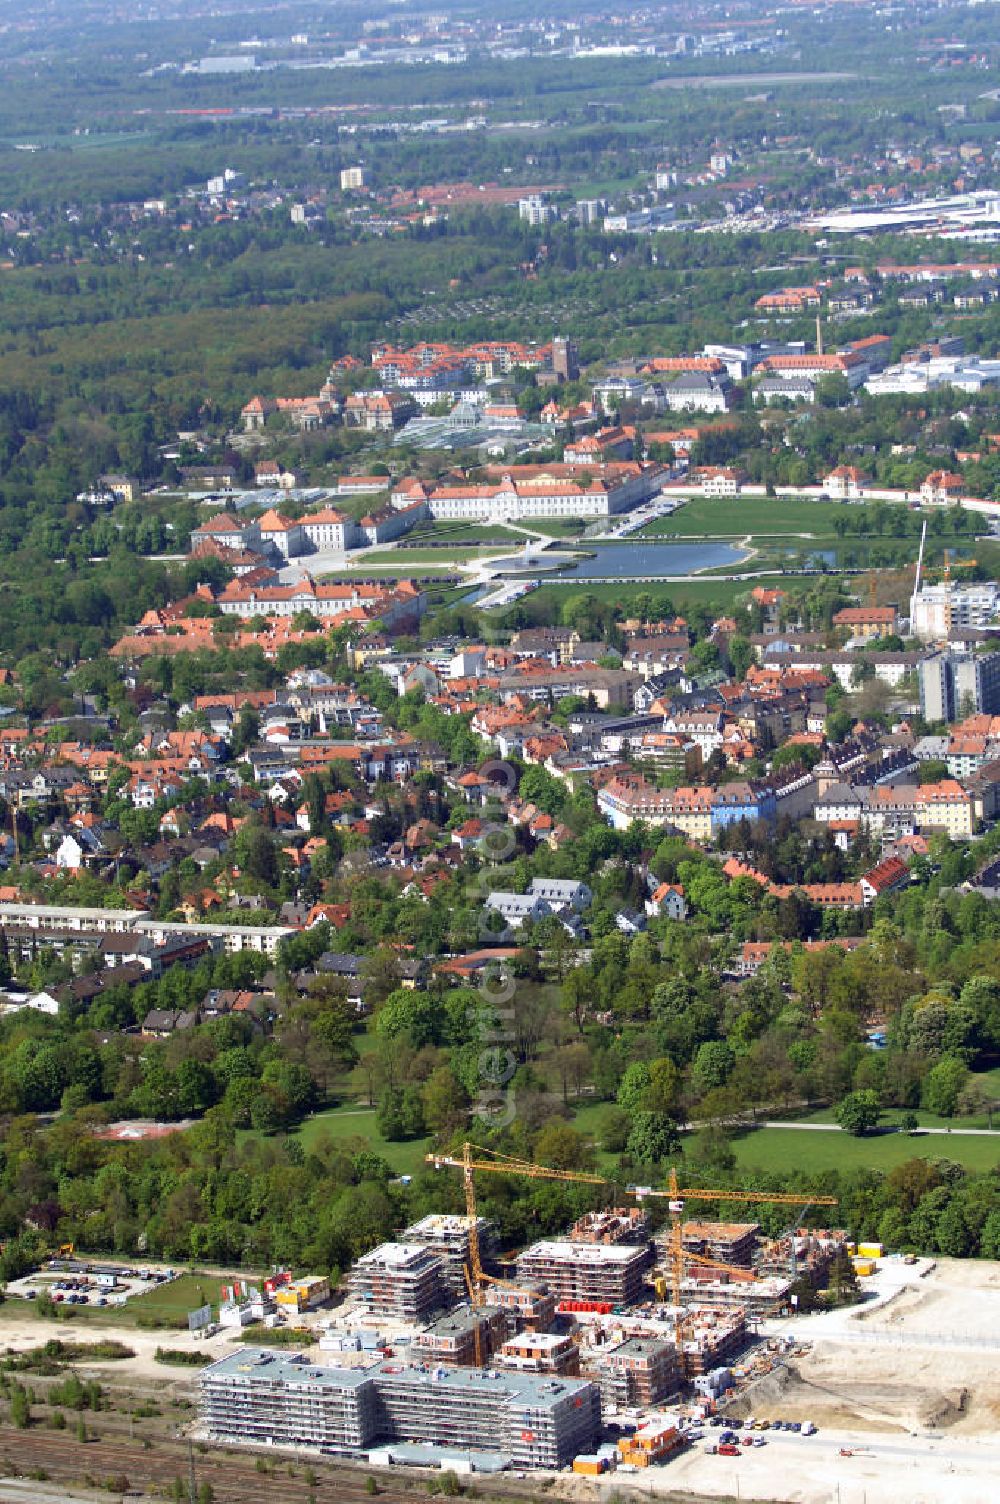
(532, 1422)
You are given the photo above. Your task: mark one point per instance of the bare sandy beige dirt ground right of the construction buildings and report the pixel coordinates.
(906, 1398)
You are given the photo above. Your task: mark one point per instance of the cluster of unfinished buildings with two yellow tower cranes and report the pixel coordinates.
(605, 1348)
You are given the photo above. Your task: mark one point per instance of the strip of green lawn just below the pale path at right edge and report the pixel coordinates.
(781, 1150)
